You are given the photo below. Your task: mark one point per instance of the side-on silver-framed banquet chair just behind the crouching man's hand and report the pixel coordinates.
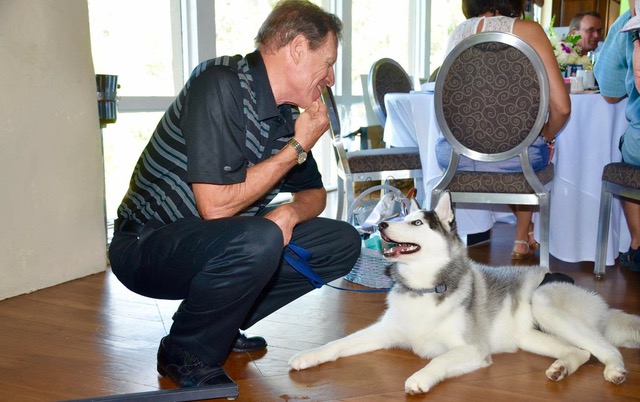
(369, 164)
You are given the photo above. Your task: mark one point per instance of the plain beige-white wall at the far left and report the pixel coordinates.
(52, 225)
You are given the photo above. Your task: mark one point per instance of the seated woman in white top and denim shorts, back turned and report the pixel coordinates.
(505, 16)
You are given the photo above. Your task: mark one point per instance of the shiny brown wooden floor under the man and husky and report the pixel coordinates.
(92, 337)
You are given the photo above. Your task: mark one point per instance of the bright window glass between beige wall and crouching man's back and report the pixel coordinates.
(135, 40)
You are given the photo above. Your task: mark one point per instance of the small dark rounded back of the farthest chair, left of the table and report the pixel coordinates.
(386, 76)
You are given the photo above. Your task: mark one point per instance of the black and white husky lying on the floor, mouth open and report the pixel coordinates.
(458, 313)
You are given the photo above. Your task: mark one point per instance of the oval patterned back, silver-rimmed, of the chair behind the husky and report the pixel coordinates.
(494, 96)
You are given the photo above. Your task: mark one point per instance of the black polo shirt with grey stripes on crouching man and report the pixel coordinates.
(224, 120)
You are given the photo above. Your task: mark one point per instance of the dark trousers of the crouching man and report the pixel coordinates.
(230, 272)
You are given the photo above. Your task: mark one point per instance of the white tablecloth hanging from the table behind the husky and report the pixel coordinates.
(587, 143)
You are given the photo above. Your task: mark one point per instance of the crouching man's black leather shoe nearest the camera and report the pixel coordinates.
(185, 369)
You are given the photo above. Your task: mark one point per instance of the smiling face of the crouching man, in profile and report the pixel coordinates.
(316, 71)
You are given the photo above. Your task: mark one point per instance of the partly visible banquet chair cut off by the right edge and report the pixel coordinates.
(619, 179)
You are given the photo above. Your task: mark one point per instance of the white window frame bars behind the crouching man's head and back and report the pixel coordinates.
(193, 26)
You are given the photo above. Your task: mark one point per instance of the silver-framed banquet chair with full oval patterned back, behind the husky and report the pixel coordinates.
(491, 102)
